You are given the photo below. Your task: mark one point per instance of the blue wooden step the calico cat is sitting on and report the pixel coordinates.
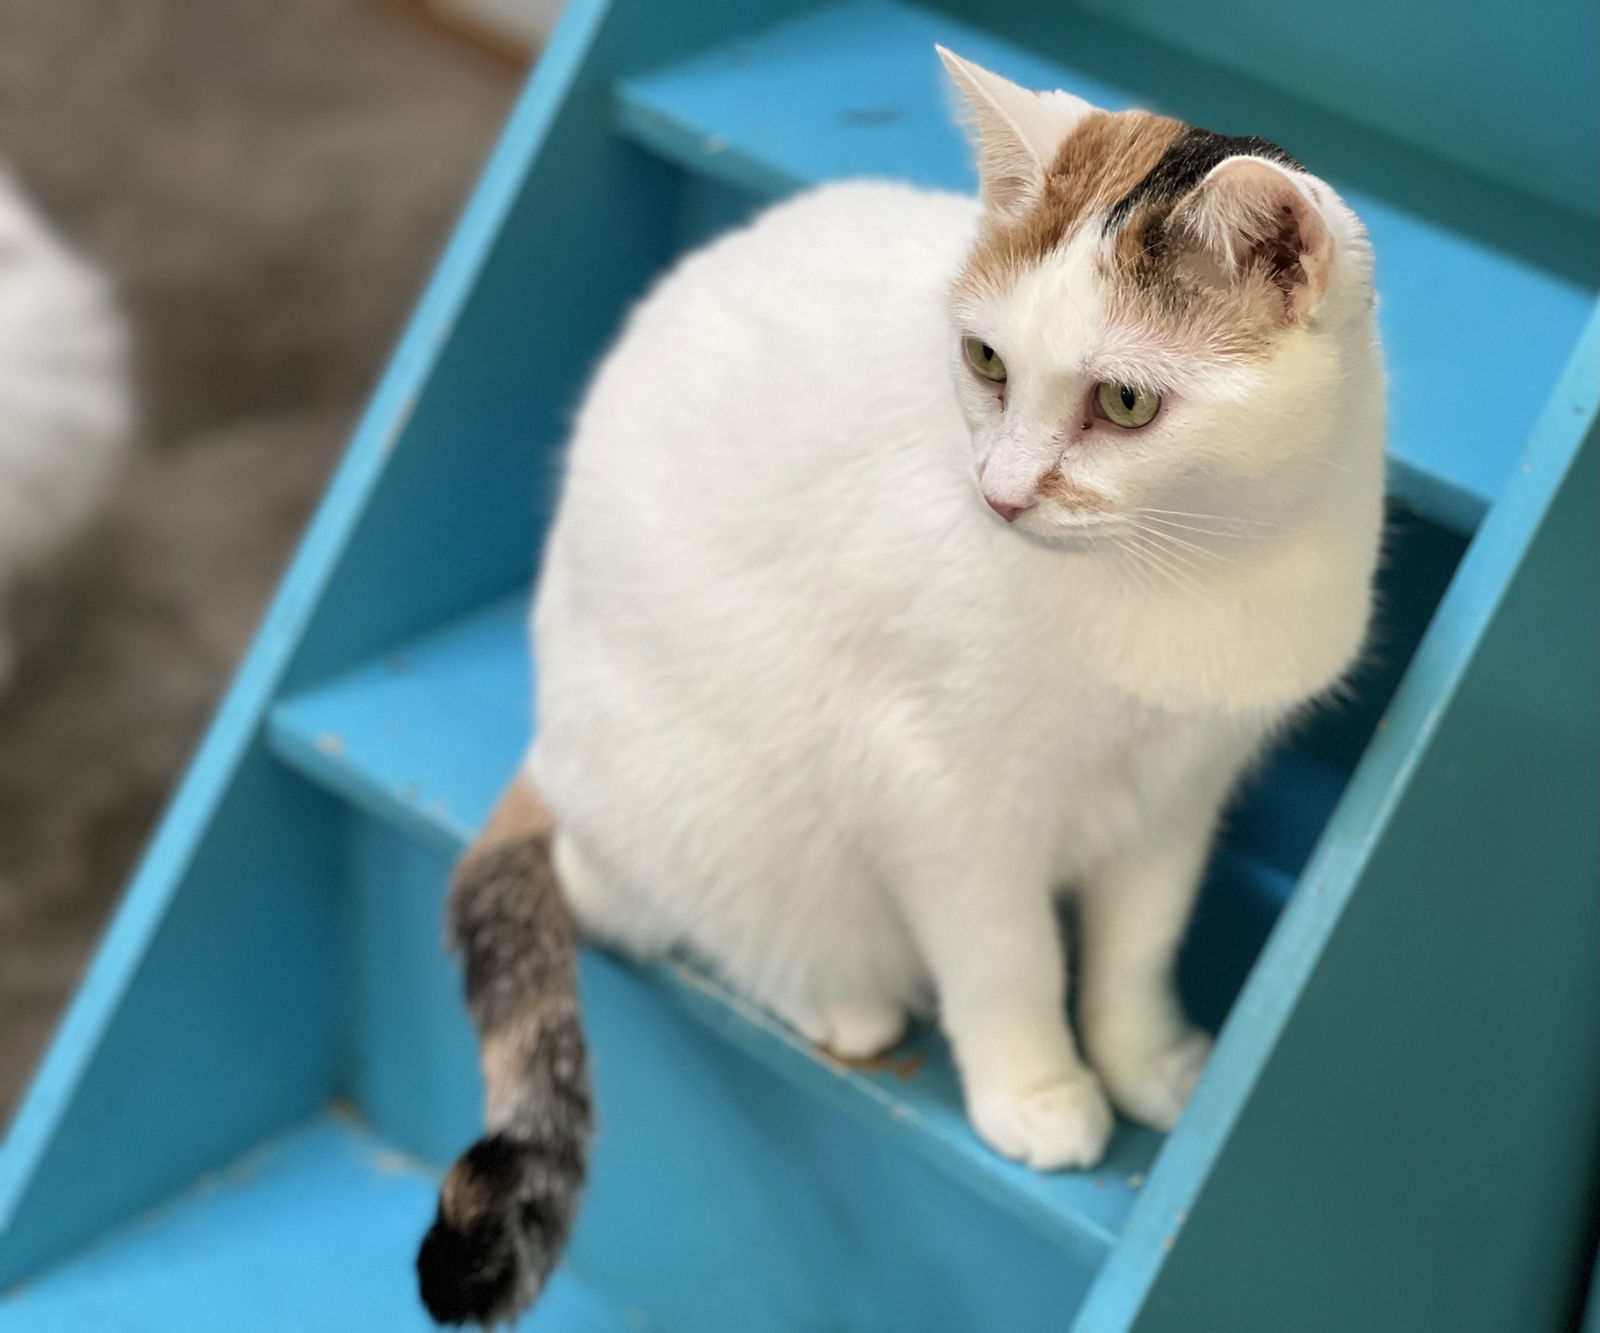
(425, 739)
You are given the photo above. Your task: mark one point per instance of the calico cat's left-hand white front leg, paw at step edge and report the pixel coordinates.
(993, 943)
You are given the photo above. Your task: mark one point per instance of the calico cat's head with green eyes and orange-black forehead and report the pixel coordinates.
(1154, 319)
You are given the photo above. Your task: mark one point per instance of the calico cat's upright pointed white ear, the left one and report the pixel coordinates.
(1017, 132)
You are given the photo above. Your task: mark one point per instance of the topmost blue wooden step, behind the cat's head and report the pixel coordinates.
(1476, 332)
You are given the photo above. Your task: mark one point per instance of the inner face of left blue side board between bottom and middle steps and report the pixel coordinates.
(209, 1019)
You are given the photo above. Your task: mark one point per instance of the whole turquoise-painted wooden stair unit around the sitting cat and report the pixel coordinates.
(242, 1116)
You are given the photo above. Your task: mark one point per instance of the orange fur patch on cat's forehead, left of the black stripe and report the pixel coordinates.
(1098, 166)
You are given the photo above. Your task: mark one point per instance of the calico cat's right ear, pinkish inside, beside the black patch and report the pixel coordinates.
(1255, 222)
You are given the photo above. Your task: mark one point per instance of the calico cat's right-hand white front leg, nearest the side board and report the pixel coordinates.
(1132, 919)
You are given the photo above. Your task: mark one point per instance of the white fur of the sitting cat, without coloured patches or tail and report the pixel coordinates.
(812, 711)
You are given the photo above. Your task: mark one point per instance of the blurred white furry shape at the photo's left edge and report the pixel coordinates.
(65, 396)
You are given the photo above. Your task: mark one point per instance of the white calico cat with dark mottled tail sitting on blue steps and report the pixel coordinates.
(921, 558)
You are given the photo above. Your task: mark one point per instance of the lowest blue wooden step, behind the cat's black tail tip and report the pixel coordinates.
(303, 1233)
